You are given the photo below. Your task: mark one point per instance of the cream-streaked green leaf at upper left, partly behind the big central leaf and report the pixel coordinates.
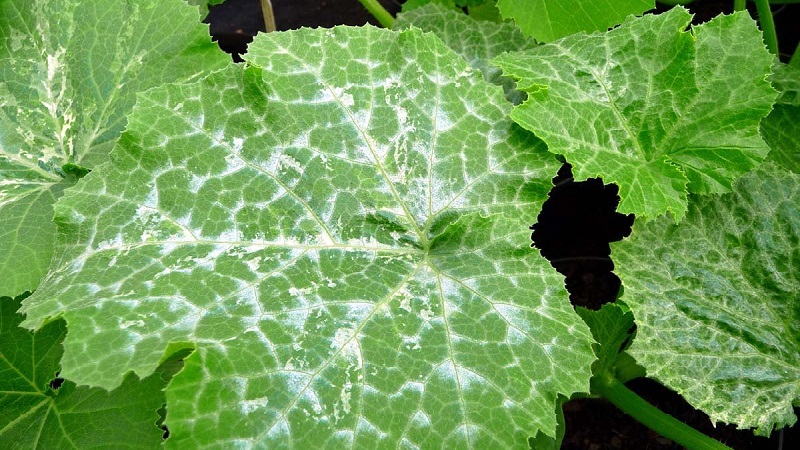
(69, 72)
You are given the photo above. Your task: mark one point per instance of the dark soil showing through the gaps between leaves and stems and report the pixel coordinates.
(574, 230)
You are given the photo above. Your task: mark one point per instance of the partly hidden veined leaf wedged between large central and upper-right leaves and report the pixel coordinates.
(477, 41)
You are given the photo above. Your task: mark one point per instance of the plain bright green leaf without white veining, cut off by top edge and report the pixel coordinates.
(547, 20)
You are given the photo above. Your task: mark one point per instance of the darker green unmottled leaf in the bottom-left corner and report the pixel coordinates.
(35, 415)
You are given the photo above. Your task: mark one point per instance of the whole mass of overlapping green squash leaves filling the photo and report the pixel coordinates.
(328, 246)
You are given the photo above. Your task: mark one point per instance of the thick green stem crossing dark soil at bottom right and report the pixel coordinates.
(660, 422)
